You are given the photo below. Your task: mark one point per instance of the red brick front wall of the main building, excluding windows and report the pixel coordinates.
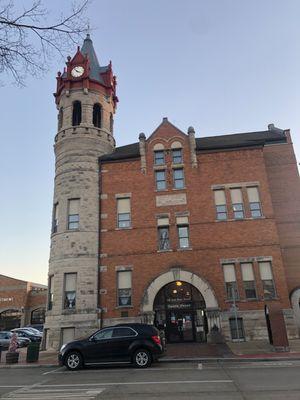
(211, 241)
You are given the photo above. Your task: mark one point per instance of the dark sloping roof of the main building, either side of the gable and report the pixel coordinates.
(222, 142)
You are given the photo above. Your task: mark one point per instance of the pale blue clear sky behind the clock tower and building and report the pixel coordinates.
(222, 66)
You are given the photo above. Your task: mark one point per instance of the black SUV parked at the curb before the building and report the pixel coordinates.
(139, 344)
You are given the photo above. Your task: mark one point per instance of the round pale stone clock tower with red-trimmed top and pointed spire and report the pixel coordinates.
(86, 102)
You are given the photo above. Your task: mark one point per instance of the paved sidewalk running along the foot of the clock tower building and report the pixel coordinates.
(242, 351)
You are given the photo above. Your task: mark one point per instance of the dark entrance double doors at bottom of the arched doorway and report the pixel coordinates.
(180, 326)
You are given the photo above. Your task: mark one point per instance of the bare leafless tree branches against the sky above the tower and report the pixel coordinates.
(28, 40)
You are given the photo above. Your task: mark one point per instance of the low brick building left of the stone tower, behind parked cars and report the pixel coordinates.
(21, 303)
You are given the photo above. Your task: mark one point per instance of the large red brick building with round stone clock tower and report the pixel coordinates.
(196, 235)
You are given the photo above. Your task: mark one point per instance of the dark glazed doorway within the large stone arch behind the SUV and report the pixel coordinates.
(180, 311)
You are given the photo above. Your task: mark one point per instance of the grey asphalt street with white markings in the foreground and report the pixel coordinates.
(213, 381)
